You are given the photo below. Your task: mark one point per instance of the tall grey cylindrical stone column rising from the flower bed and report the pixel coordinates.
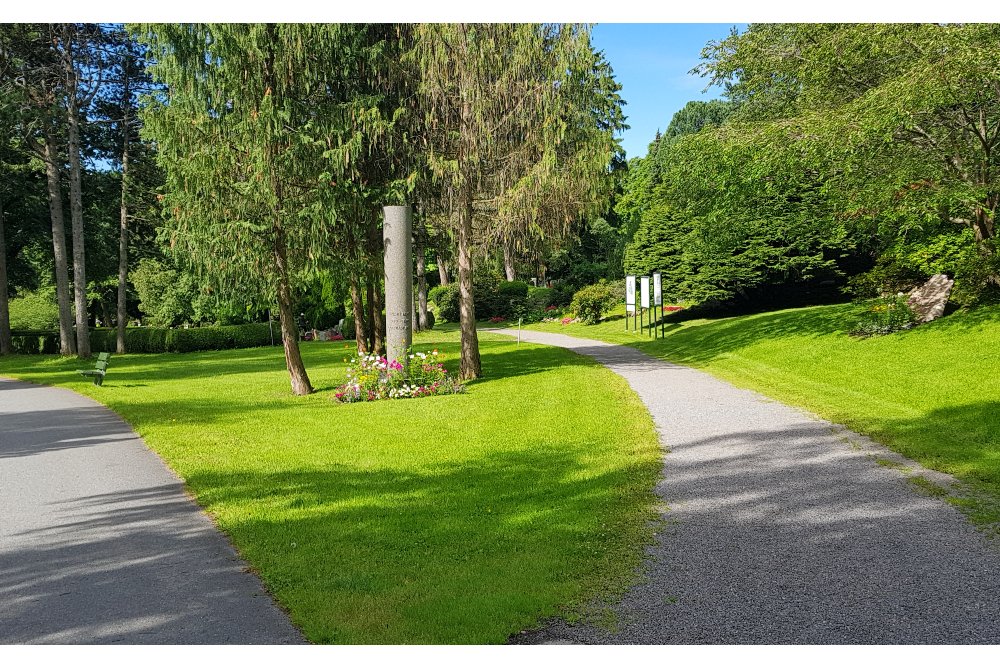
(397, 234)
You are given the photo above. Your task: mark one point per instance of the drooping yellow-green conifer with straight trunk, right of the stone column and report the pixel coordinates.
(508, 134)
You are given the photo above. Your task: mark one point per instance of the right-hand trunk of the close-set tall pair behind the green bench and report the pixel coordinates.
(76, 198)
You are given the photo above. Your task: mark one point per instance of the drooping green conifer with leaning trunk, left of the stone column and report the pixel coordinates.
(260, 132)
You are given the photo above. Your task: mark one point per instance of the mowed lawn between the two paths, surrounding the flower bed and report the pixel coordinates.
(452, 519)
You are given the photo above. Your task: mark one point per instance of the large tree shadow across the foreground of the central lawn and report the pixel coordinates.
(467, 552)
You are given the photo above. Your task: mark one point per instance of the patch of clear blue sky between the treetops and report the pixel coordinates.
(652, 61)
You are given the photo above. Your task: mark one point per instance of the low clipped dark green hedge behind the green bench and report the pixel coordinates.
(148, 339)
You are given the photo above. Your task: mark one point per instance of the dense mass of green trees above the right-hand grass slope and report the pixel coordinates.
(861, 154)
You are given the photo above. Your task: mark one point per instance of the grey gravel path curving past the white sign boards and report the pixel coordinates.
(782, 528)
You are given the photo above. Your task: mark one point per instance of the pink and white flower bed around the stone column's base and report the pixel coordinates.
(371, 378)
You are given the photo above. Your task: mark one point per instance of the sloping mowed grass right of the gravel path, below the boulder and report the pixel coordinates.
(931, 393)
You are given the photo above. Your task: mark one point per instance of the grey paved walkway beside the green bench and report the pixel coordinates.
(99, 543)
